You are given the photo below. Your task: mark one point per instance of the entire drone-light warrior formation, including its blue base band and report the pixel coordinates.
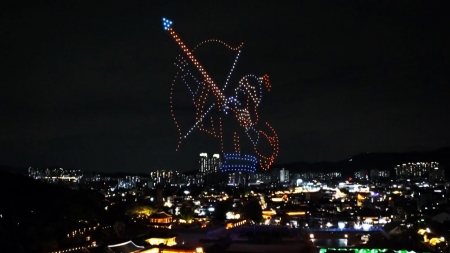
(240, 102)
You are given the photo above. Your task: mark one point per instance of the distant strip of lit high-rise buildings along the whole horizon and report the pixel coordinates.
(211, 171)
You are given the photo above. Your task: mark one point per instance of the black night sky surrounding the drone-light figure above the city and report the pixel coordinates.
(86, 85)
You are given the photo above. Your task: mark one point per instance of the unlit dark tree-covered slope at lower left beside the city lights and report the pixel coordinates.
(36, 216)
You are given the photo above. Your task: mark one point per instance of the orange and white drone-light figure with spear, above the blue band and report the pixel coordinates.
(225, 104)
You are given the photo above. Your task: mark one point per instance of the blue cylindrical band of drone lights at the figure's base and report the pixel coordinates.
(235, 162)
